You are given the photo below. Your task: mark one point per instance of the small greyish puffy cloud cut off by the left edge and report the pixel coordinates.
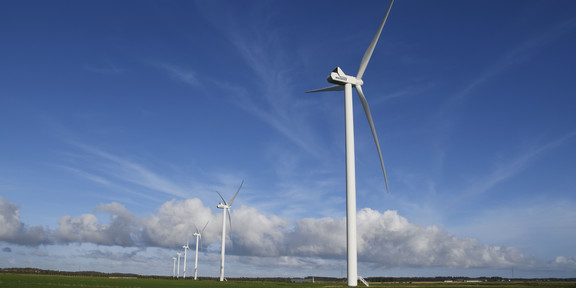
(12, 230)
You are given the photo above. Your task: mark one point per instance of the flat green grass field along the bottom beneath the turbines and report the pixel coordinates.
(28, 280)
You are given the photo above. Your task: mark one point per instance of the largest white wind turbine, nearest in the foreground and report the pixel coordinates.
(345, 82)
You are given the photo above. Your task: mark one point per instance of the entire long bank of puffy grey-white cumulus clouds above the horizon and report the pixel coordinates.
(385, 239)
